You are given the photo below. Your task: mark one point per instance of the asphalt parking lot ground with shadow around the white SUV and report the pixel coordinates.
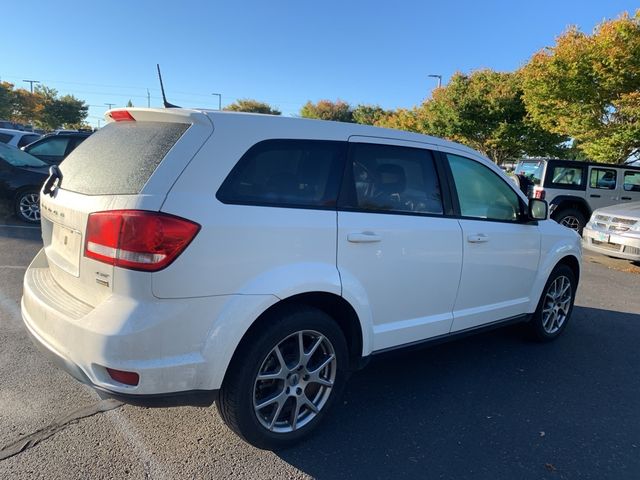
(492, 406)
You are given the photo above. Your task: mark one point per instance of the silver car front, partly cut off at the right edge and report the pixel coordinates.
(614, 231)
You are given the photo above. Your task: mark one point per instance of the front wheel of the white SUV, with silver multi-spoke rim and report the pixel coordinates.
(555, 305)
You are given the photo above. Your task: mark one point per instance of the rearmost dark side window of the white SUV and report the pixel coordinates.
(287, 173)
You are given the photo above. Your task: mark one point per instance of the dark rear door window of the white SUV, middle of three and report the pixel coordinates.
(393, 179)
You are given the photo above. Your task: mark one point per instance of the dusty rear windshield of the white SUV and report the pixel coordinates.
(119, 158)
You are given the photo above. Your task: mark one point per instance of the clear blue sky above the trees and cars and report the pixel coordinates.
(282, 52)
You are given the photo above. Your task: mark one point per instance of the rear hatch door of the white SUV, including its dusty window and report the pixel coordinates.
(128, 164)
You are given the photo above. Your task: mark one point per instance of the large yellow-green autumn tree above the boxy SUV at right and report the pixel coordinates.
(588, 87)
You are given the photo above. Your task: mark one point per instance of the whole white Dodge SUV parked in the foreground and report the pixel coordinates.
(192, 256)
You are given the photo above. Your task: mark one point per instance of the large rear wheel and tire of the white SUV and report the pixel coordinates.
(284, 378)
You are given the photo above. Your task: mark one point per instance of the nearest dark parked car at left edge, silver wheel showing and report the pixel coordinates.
(21, 177)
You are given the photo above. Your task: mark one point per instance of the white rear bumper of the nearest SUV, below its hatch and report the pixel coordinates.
(167, 342)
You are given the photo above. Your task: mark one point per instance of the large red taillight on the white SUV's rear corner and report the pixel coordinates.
(137, 239)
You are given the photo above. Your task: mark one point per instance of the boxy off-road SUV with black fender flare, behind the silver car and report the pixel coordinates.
(575, 189)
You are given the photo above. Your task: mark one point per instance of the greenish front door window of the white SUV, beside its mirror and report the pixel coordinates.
(481, 192)
